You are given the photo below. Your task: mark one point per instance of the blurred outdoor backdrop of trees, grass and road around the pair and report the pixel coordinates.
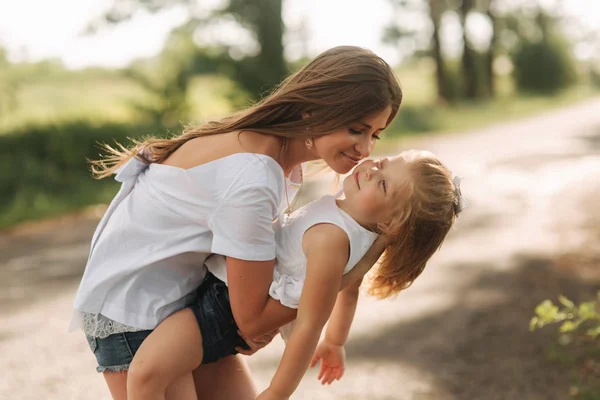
(505, 91)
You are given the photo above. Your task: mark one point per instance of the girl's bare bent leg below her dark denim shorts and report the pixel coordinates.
(171, 351)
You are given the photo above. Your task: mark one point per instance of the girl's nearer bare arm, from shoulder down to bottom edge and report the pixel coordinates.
(327, 249)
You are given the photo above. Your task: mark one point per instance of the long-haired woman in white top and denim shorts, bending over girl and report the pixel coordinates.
(217, 189)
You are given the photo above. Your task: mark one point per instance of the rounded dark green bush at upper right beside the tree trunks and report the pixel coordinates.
(544, 67)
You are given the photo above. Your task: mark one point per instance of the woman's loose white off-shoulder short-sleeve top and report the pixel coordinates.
(147, 254)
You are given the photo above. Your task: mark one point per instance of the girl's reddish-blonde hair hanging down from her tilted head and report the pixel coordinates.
(426, 214)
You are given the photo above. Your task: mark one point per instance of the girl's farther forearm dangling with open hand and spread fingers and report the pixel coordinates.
(331, 351)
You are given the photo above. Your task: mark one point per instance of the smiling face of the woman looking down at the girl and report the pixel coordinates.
(343, 149)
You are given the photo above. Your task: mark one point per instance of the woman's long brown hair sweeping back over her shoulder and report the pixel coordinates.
(339, 86)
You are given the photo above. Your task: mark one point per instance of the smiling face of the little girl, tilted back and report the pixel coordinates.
(373, 189)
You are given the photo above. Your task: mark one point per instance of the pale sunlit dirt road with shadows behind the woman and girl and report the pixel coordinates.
(460, 332)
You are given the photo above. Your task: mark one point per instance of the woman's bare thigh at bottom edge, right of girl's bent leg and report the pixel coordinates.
(227, 379)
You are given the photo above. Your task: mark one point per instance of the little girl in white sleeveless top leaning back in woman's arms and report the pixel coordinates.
(411, 198)
